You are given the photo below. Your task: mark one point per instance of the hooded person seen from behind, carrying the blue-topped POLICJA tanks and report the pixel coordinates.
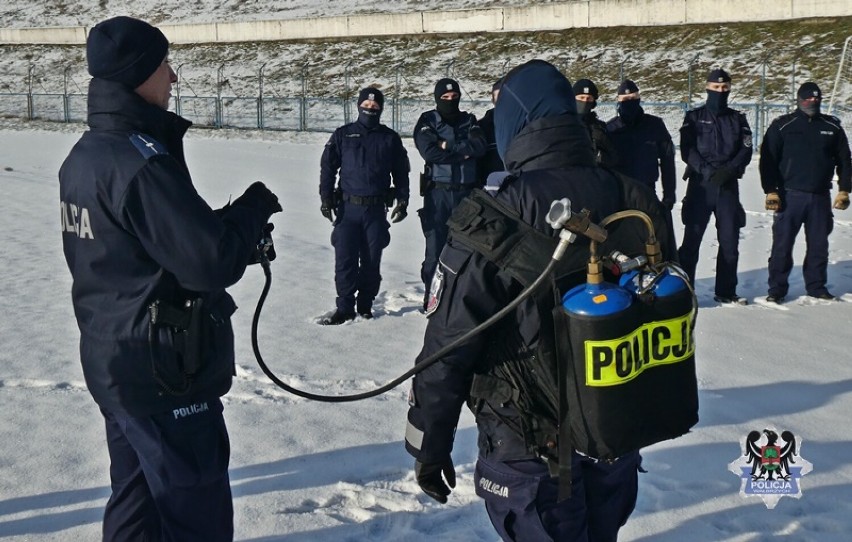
(547, 150)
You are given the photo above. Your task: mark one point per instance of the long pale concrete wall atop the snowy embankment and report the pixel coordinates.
(551, 16)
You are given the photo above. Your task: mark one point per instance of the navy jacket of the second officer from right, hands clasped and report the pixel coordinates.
(709, 142)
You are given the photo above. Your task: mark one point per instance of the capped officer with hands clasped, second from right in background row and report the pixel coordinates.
(715, 143)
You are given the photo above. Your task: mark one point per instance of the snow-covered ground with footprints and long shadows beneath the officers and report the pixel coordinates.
(304, 471)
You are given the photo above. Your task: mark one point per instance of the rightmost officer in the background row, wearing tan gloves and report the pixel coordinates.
(798, 158)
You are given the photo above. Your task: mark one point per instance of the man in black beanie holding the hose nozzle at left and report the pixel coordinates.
(150, 261)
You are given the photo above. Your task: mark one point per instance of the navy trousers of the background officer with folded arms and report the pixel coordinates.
(438, 205)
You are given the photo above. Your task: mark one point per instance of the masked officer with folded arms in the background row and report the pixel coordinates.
(450, 142)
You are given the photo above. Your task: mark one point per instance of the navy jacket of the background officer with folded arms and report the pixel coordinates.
(465, 143)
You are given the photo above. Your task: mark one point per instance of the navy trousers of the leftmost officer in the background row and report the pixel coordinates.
(361, 233)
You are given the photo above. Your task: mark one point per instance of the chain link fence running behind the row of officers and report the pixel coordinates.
(289, 100)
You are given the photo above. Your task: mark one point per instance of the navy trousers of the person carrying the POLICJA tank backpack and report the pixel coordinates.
(521, 499)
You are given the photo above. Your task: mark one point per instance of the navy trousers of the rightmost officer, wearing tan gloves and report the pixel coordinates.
(814, 211)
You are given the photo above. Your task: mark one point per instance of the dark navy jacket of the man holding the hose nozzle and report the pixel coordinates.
(135, 230)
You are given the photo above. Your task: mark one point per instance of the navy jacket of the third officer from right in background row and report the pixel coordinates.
(645, 150)
